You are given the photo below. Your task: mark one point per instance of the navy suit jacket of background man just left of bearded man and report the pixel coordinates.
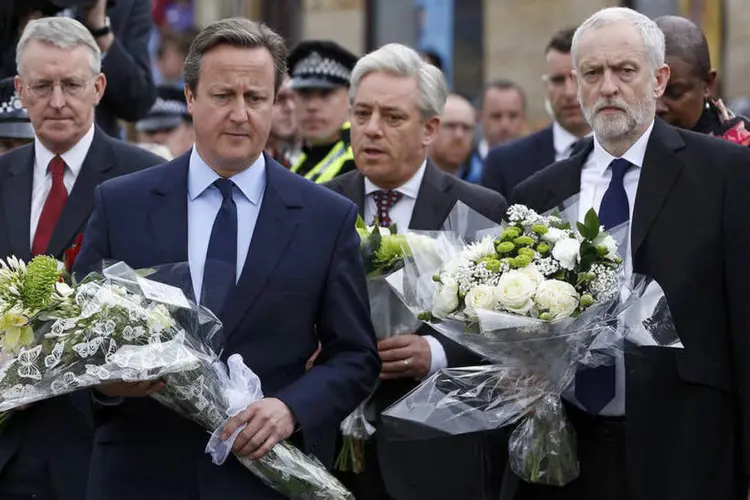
(508, 164)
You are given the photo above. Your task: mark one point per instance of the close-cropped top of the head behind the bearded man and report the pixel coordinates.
(686, 41)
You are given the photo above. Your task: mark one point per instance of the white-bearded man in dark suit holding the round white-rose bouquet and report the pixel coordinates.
(684, 198)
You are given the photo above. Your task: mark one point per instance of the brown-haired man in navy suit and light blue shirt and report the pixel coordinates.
(280, 259)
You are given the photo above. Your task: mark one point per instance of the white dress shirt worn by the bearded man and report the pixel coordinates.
(595, 178)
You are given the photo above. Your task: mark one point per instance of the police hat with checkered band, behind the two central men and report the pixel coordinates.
(320, 64)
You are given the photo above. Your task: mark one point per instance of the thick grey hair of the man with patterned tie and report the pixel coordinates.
(400, 60)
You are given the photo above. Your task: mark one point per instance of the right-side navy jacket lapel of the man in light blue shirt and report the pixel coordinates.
(274, 229)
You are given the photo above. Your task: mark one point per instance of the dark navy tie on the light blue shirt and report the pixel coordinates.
(220, 272)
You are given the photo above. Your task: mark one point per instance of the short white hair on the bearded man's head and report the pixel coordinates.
(653, 38)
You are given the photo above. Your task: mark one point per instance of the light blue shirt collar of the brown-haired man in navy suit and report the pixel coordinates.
(251, 182)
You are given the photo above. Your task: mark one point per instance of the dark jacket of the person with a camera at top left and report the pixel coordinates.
(130, 89)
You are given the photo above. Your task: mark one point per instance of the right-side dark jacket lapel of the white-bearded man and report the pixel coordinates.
(661, 168)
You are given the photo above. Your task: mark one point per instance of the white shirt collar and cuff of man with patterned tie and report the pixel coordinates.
(401, 216)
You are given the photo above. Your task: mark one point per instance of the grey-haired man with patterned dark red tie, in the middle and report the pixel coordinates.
(397, 100)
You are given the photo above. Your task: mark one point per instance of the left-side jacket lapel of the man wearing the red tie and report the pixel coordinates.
(17, 204)
